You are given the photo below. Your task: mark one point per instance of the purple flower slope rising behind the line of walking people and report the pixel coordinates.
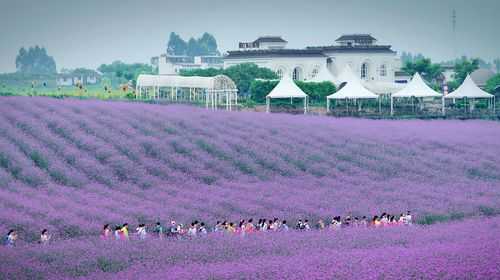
(73, 165)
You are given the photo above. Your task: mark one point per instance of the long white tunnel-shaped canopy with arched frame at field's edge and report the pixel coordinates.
(214, 91)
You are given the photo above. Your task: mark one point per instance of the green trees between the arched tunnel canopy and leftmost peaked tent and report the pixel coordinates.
(242, 74)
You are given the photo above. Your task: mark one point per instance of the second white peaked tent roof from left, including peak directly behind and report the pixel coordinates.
(353, 88)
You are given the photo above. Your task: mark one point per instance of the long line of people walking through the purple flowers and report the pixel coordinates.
(243, 227)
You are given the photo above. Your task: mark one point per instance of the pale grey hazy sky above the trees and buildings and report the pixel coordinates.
(91, 32)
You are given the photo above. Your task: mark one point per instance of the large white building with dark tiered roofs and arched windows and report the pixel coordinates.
(375, 64)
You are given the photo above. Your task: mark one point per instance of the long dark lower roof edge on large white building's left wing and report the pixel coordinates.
(274, 52)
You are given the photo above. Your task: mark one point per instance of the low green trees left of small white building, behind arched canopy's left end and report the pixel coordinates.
(127, 72)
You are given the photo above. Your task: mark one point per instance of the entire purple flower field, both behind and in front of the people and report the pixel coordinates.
(71, 166)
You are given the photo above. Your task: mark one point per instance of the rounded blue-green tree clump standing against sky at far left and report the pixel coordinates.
(35, 60)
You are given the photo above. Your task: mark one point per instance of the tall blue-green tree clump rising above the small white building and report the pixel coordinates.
(205, 45)
